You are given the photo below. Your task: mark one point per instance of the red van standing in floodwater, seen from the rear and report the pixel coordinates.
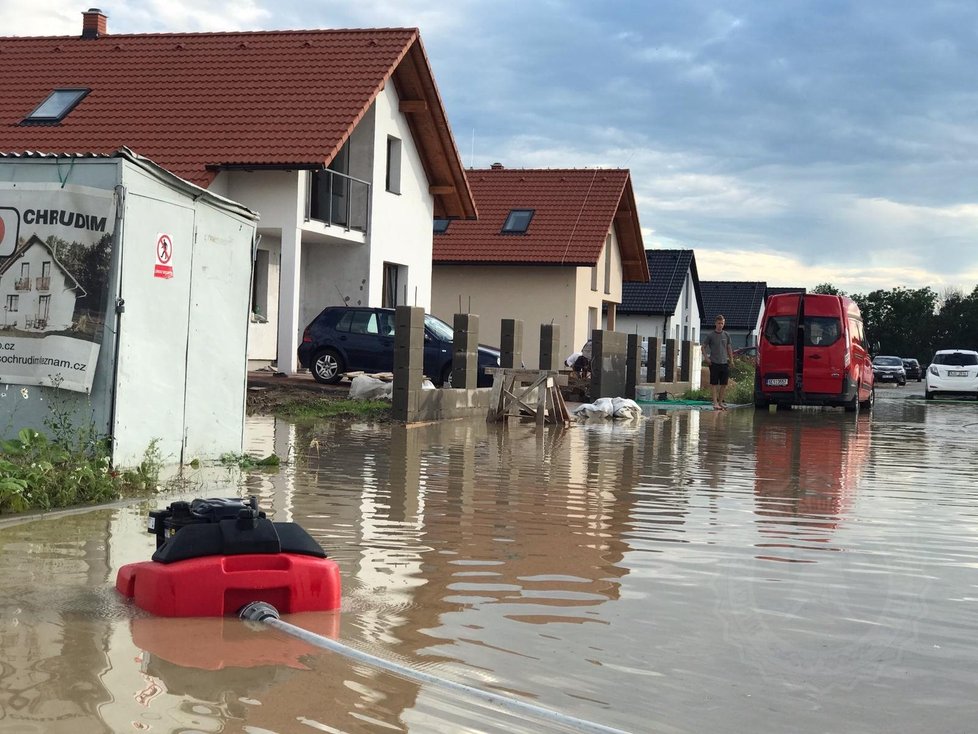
(812, 351)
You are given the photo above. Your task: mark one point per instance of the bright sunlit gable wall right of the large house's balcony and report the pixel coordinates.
(401, 224)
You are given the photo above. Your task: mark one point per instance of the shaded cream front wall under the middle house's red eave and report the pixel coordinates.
(534, 294)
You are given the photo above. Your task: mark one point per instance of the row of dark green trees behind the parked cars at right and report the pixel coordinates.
(916, 322)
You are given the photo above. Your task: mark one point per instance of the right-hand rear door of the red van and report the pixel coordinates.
(824, 344)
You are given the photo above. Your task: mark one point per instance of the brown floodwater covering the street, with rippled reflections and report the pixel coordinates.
(802, 571)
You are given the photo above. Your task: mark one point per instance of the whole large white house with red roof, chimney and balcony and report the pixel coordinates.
(338, 138)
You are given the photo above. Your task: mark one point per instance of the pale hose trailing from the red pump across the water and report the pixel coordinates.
(261, 612)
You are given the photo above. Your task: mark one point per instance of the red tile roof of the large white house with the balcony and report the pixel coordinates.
(194, 103)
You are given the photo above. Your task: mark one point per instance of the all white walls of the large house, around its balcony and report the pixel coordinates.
(308, 273)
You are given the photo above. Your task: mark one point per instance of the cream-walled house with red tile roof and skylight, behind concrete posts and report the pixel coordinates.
(550, 246)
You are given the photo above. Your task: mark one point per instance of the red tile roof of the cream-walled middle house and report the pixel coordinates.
(574, 210)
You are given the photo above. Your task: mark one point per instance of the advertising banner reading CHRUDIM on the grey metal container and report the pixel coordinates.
(55, 263)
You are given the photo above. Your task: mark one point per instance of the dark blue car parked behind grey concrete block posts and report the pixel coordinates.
(352, 339)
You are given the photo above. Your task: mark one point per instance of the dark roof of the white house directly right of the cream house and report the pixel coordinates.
(660, 295)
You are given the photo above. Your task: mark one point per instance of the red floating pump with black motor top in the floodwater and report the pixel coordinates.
(214, 556)
